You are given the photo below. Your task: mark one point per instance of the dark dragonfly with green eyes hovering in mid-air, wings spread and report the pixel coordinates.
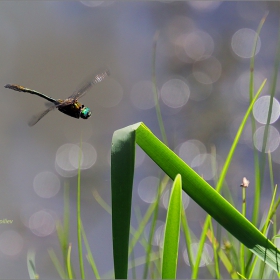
(69, 106)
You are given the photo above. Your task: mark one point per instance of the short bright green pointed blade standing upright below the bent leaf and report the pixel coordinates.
(172, 231)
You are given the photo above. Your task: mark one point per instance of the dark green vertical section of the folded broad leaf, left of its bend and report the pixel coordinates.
(122, 171)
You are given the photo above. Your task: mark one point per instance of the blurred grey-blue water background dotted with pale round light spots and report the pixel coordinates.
(202, 69)
